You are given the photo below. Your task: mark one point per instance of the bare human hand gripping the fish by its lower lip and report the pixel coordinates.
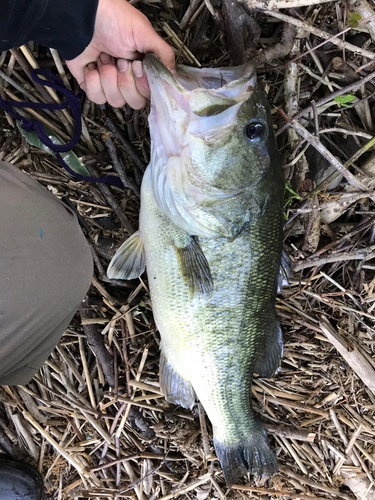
(109, 69)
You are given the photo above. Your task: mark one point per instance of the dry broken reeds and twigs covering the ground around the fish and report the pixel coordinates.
(103, 430)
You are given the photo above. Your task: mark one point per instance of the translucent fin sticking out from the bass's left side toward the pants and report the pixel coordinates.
(129, 261)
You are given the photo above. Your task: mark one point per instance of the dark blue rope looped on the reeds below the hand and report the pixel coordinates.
(71, 101)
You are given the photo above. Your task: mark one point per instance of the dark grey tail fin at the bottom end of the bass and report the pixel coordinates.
(251, 454)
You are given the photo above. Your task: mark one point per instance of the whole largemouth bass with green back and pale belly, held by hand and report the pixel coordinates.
(210, 236)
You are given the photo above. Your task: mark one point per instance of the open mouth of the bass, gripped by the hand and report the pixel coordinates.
(208, 90)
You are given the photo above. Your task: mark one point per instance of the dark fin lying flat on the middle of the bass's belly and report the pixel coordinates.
(195, 268)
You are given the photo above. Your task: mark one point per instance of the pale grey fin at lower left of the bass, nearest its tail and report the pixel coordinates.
(176, 390)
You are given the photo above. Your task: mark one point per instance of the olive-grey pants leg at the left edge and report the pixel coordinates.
(45, 271)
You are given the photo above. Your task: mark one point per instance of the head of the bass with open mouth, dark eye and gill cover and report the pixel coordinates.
(212, 146)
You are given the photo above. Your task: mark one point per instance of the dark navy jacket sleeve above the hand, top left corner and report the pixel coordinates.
(65, 25)
